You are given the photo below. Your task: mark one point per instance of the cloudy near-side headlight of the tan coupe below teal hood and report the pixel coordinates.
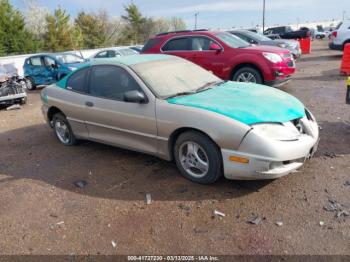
(277, 131)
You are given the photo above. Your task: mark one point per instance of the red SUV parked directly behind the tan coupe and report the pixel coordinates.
(227, 56)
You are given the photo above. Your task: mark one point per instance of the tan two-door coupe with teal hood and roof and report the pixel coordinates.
(173, 109)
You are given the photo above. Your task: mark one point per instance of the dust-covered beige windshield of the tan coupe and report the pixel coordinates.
(173, 76)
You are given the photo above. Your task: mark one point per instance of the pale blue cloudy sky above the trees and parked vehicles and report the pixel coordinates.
(215, 13)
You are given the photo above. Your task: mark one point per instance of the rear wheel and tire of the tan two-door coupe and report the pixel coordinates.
(63, 130)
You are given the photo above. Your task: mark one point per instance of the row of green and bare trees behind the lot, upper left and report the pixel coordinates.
(36, 29)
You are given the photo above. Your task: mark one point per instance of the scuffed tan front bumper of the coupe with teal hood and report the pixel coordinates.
(272, 161)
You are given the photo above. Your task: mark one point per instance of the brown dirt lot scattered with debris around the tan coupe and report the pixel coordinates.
(43, 212)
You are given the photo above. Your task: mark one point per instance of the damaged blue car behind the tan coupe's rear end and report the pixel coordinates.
(46, 69)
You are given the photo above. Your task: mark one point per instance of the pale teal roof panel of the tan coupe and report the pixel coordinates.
(130, 60)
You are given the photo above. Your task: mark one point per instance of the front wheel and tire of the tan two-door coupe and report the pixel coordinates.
(198, 158)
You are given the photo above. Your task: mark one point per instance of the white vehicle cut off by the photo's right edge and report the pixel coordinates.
(340, 36)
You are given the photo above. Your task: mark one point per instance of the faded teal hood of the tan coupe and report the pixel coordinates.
(245, 102)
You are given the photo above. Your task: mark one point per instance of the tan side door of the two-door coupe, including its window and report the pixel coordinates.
(110, 119)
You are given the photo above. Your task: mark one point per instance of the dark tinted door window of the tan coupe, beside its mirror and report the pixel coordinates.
(111, 82)
